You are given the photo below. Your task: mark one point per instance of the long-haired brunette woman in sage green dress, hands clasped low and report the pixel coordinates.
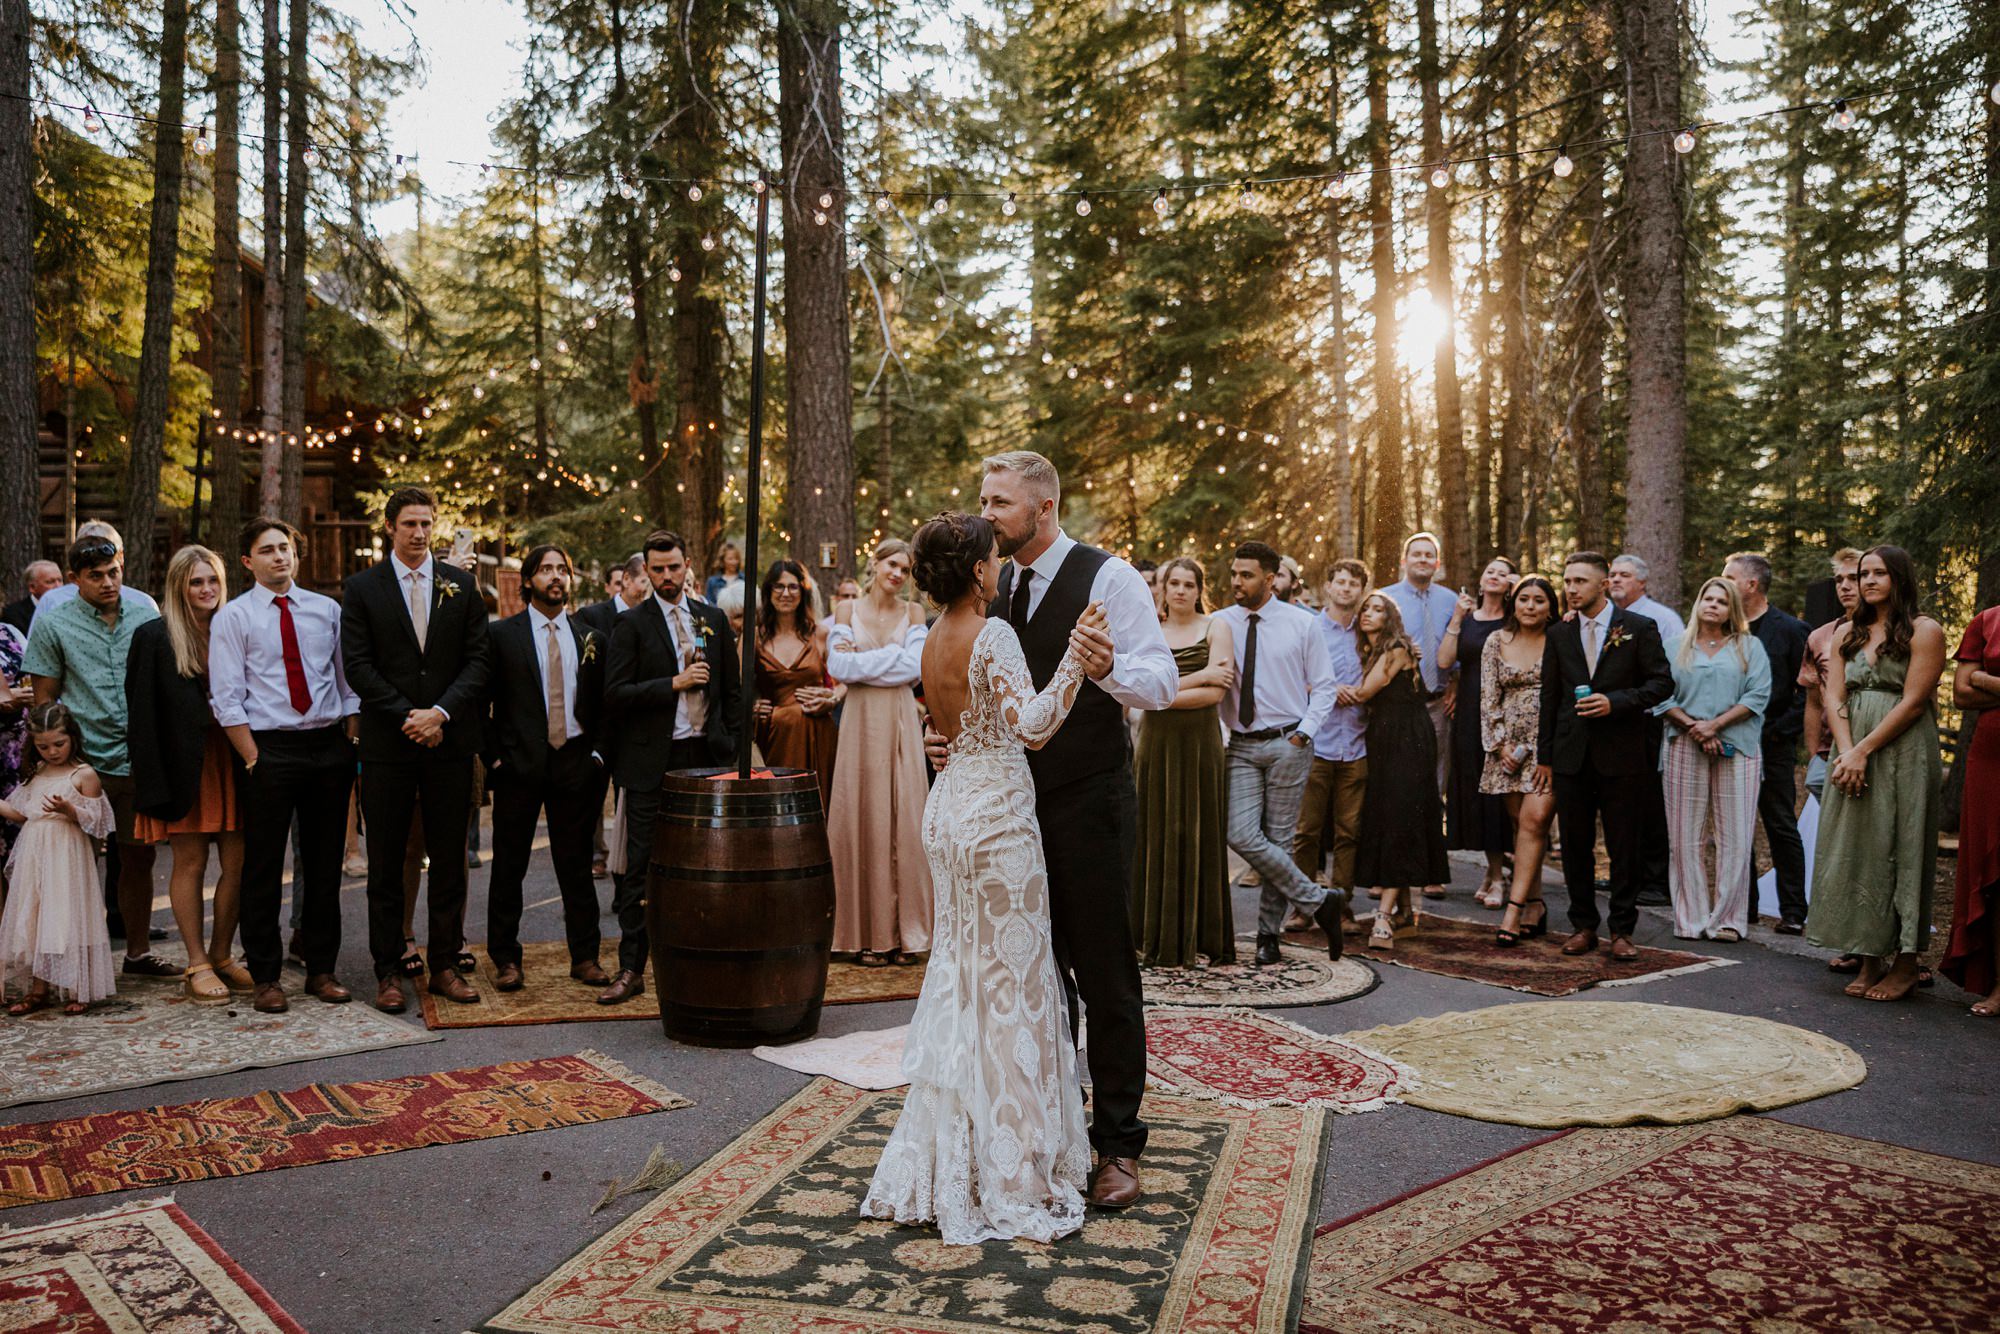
(1879, 825)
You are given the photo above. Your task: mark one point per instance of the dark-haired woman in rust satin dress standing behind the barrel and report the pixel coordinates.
(795, 713)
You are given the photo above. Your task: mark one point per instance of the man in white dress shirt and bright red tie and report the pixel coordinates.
(281, 695)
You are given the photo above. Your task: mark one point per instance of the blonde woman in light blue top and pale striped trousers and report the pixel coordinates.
(1713, 763)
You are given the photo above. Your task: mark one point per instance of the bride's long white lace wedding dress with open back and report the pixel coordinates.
(991, 1143)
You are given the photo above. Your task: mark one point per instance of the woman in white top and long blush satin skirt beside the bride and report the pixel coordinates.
(875, 823)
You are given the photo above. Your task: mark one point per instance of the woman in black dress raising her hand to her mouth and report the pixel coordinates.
(1477, 823)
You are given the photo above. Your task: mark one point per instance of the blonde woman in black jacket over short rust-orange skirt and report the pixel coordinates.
(185, 771)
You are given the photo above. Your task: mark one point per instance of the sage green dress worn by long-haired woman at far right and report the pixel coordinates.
(1877, 855)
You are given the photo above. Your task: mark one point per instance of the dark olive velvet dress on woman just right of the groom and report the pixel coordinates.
(1181, 889)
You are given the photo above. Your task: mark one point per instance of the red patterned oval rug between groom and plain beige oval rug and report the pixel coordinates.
(1253, 1061)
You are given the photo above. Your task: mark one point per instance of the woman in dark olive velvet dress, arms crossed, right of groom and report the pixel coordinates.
(1181, 881)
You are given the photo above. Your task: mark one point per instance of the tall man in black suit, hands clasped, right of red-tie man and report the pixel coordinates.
(413, 639)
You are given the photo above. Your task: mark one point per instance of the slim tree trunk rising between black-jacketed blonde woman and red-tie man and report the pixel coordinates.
(227, 301)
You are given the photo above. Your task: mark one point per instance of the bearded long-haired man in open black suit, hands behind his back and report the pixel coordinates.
(543, 753)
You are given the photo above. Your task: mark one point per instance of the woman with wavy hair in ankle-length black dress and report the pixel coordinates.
(1403, 835)
